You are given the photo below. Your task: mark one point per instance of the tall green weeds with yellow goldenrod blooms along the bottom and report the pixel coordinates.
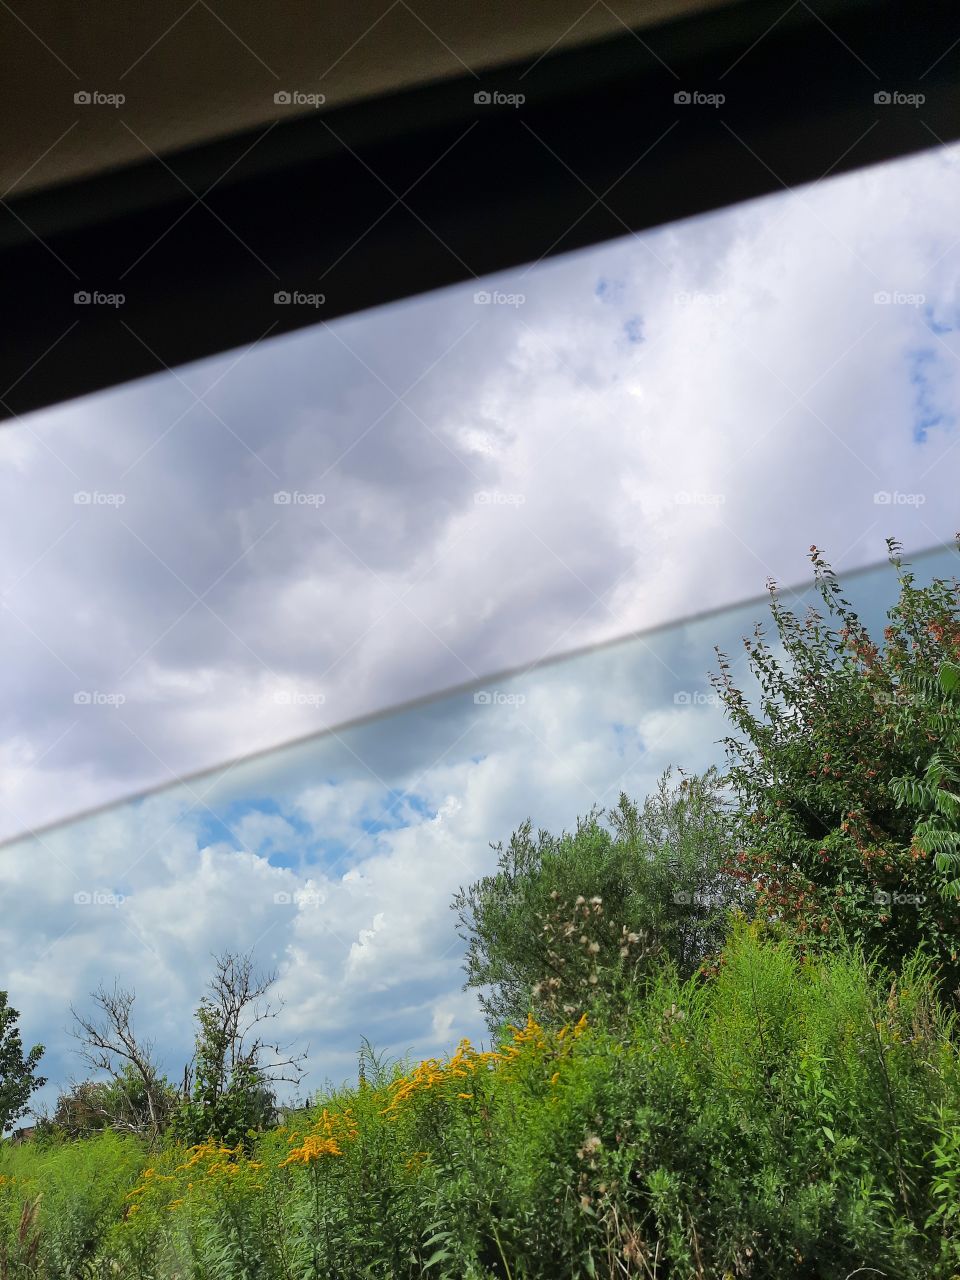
(787, 1118)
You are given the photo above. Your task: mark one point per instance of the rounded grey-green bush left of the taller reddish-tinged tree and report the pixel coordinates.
(657, 872)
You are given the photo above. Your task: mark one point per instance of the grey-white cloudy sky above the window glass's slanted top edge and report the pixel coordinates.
(277, 541)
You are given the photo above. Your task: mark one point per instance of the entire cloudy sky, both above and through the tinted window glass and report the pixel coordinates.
(263, 546)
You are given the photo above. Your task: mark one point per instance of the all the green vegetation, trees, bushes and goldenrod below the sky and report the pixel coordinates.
(723, 1022)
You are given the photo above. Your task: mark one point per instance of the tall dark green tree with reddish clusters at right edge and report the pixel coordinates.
(843, 771)
